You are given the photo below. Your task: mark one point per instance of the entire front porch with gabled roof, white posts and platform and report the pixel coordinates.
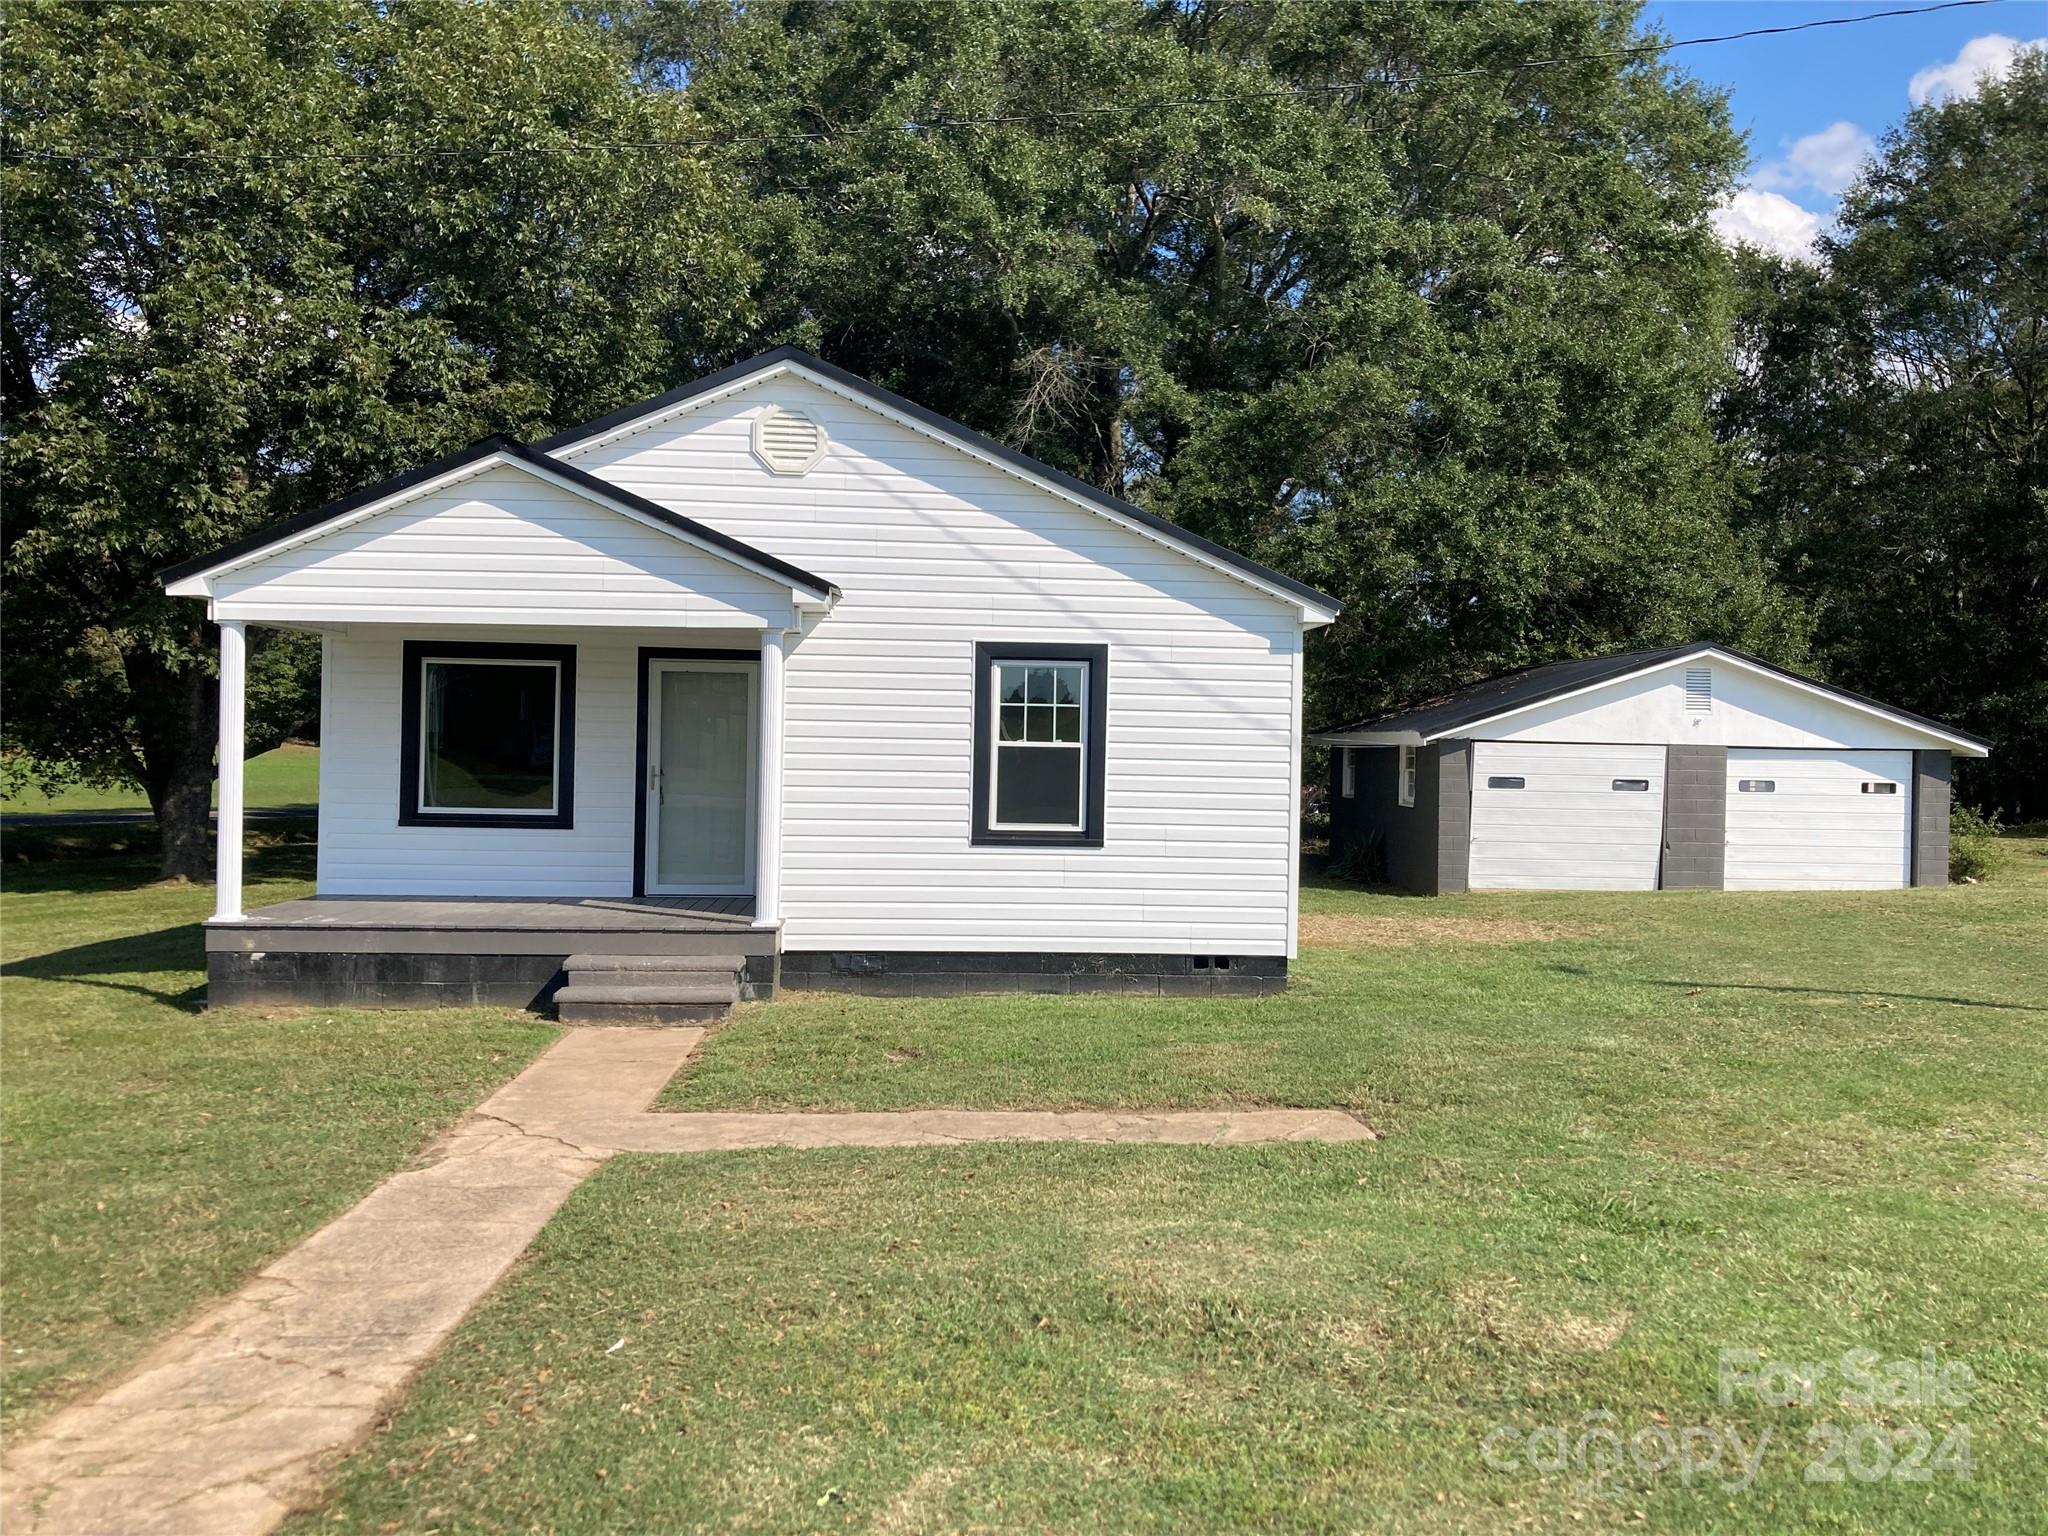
(552, 726)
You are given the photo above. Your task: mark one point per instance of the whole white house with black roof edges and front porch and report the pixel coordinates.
(777, 673)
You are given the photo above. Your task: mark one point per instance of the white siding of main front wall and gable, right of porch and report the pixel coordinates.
(935, 552)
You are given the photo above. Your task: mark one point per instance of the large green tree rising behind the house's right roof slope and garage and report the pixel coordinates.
(1342, 286)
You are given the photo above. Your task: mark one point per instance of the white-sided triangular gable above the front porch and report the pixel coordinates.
(503, 548)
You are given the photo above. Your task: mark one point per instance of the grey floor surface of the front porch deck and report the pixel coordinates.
(681, 914)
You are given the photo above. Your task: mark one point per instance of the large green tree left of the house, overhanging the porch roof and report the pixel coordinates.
(259, 255)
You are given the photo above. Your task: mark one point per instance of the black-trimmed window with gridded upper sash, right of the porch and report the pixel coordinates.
(1039, 744)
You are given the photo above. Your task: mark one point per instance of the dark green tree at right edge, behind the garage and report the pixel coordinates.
(1893, 402)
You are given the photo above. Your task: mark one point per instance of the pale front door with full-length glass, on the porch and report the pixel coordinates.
(701, 777)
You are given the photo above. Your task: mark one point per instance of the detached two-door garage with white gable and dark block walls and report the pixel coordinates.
(1678, 769)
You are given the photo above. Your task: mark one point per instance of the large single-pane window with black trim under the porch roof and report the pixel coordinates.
(488, 736)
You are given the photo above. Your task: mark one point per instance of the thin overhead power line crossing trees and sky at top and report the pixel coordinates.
(996, 120)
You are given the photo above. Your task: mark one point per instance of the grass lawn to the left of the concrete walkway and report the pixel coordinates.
(157, 1154)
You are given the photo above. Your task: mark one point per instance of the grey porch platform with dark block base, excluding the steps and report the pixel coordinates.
(456, 951)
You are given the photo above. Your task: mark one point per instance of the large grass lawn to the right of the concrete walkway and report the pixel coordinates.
(1623, 1134)
